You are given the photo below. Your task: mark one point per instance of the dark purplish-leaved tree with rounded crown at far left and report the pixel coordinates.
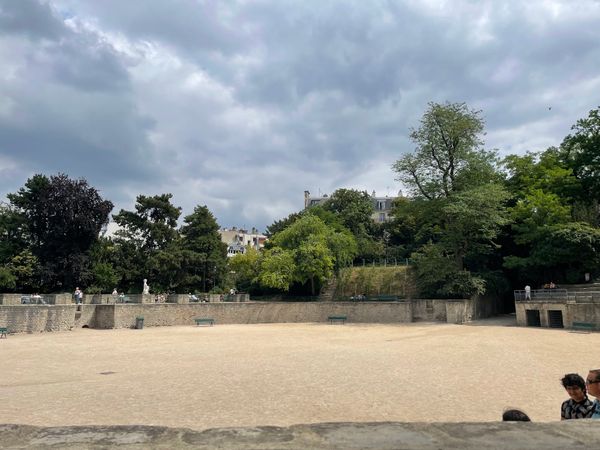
(64, 218)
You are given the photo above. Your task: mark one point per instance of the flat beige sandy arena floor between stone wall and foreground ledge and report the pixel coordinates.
(284, 374)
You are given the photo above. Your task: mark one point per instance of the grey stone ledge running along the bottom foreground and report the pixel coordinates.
(577, 434)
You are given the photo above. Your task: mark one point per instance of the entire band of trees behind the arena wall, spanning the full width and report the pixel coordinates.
(472, 223)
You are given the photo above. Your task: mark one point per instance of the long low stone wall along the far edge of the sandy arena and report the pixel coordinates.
(36, 318)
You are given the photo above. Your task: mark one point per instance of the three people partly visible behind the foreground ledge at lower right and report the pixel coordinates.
(578, 406)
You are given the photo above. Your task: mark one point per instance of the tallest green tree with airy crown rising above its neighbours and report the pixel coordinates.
(458, 204)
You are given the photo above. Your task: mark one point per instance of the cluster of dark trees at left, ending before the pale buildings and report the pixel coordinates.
(53, 240)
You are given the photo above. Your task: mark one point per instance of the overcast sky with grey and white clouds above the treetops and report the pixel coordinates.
(242, 105)
